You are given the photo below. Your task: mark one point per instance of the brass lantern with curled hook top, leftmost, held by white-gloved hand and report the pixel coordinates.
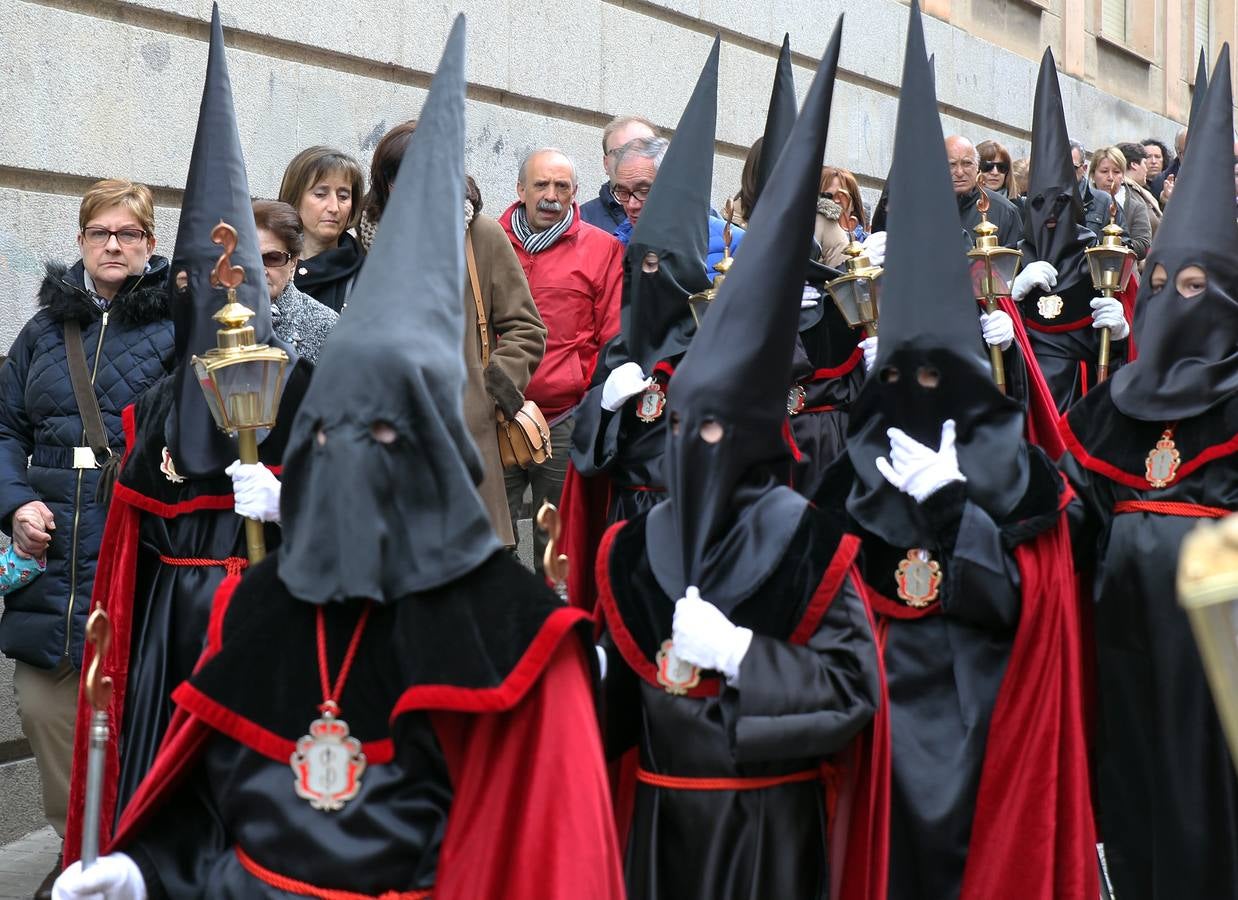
(243, 381)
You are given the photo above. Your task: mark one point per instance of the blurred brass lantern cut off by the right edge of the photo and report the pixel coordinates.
(1208, 589)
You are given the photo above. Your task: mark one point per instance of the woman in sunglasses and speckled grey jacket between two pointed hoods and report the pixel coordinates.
(297, 318)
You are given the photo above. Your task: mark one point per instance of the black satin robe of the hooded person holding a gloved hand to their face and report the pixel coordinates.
(945, 665)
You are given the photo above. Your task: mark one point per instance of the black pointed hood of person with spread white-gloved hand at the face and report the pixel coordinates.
(928, 330)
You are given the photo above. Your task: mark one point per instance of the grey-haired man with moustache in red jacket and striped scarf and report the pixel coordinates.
(576, 277)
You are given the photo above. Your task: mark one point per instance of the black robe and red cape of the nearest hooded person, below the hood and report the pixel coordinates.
(482, 647)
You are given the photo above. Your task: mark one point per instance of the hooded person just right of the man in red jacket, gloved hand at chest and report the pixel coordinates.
(621, 424)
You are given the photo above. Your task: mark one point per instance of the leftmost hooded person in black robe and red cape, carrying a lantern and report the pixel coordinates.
(173, 534)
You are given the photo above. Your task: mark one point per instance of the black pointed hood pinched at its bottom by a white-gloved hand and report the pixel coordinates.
(727, 521)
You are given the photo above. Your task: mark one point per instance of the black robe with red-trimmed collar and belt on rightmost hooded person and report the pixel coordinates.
(1168, 795)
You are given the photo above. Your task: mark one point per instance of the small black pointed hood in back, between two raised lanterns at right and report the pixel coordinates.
(1054, 227)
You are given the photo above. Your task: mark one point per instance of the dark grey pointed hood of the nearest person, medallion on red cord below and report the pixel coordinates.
(383, 519)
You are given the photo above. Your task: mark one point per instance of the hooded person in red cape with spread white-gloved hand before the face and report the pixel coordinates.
(966, 566)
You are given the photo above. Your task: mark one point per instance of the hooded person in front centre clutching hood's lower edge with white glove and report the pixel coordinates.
(738, 694)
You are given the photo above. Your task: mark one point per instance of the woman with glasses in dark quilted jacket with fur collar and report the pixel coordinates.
(49, 476)
